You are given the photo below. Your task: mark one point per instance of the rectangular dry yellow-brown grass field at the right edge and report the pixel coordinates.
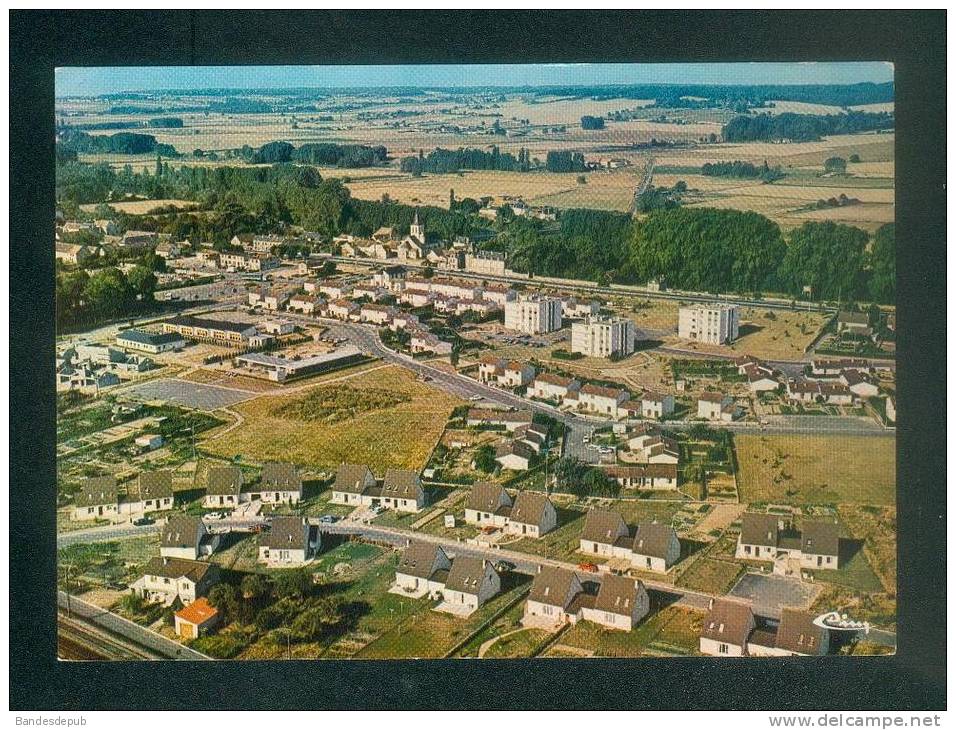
(817, 469)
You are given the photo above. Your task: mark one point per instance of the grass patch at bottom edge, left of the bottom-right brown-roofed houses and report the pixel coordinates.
(665, 632)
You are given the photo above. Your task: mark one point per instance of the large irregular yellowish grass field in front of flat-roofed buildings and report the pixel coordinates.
(400, 436)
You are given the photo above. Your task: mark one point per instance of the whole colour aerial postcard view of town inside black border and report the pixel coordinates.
(483, 362)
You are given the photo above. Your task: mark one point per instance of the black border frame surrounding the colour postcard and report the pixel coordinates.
(914, 40)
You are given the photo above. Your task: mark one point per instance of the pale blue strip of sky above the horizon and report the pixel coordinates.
(101, 80)
